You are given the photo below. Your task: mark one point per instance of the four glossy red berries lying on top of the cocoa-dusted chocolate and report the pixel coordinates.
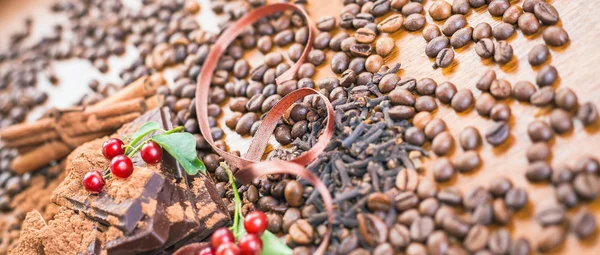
(121, 165)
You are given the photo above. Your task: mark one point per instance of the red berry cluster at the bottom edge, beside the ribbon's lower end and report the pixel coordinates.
(223, 242)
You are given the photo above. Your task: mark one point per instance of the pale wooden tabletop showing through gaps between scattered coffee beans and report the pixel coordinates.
(575, 62)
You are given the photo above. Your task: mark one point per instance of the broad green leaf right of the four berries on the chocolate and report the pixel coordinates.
(182, 146)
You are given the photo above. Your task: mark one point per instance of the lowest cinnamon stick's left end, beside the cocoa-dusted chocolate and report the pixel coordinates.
(39, 157)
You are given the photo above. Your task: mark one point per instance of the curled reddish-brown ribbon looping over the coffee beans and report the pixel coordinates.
(250, 166)
